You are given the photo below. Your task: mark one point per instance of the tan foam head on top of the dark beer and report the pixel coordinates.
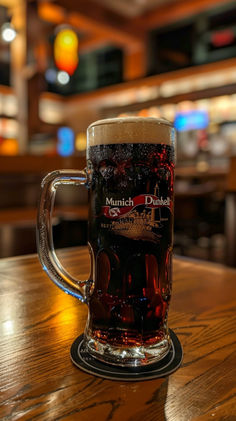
(130, 130)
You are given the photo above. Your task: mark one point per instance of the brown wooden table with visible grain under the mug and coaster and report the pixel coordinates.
(39, 322)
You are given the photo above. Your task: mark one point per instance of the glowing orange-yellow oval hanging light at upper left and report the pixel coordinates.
(66, 51)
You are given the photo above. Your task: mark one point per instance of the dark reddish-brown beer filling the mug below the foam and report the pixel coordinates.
(130, 234)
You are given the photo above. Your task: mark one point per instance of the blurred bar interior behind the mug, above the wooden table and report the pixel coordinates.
(66, 63)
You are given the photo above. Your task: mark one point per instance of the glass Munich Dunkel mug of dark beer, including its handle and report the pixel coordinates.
(130, 176)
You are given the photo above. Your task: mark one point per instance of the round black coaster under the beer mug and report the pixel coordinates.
(82, 359)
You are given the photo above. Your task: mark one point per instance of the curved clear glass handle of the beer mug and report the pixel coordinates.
(45, 245)
